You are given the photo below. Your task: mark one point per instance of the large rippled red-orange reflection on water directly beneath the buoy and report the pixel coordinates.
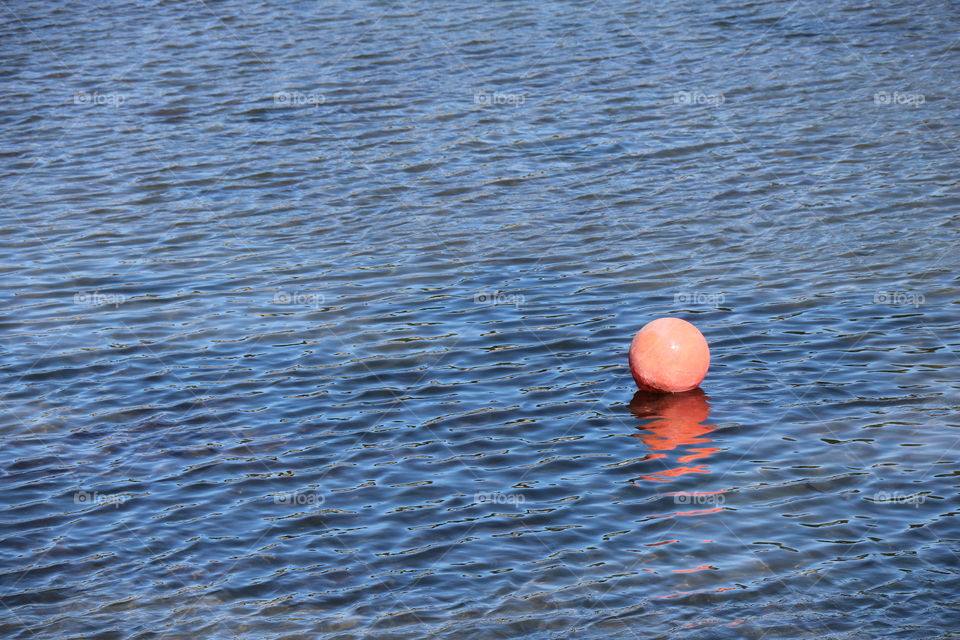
(676, 421)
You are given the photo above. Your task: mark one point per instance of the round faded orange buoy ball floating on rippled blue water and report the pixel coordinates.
(669, 355)
